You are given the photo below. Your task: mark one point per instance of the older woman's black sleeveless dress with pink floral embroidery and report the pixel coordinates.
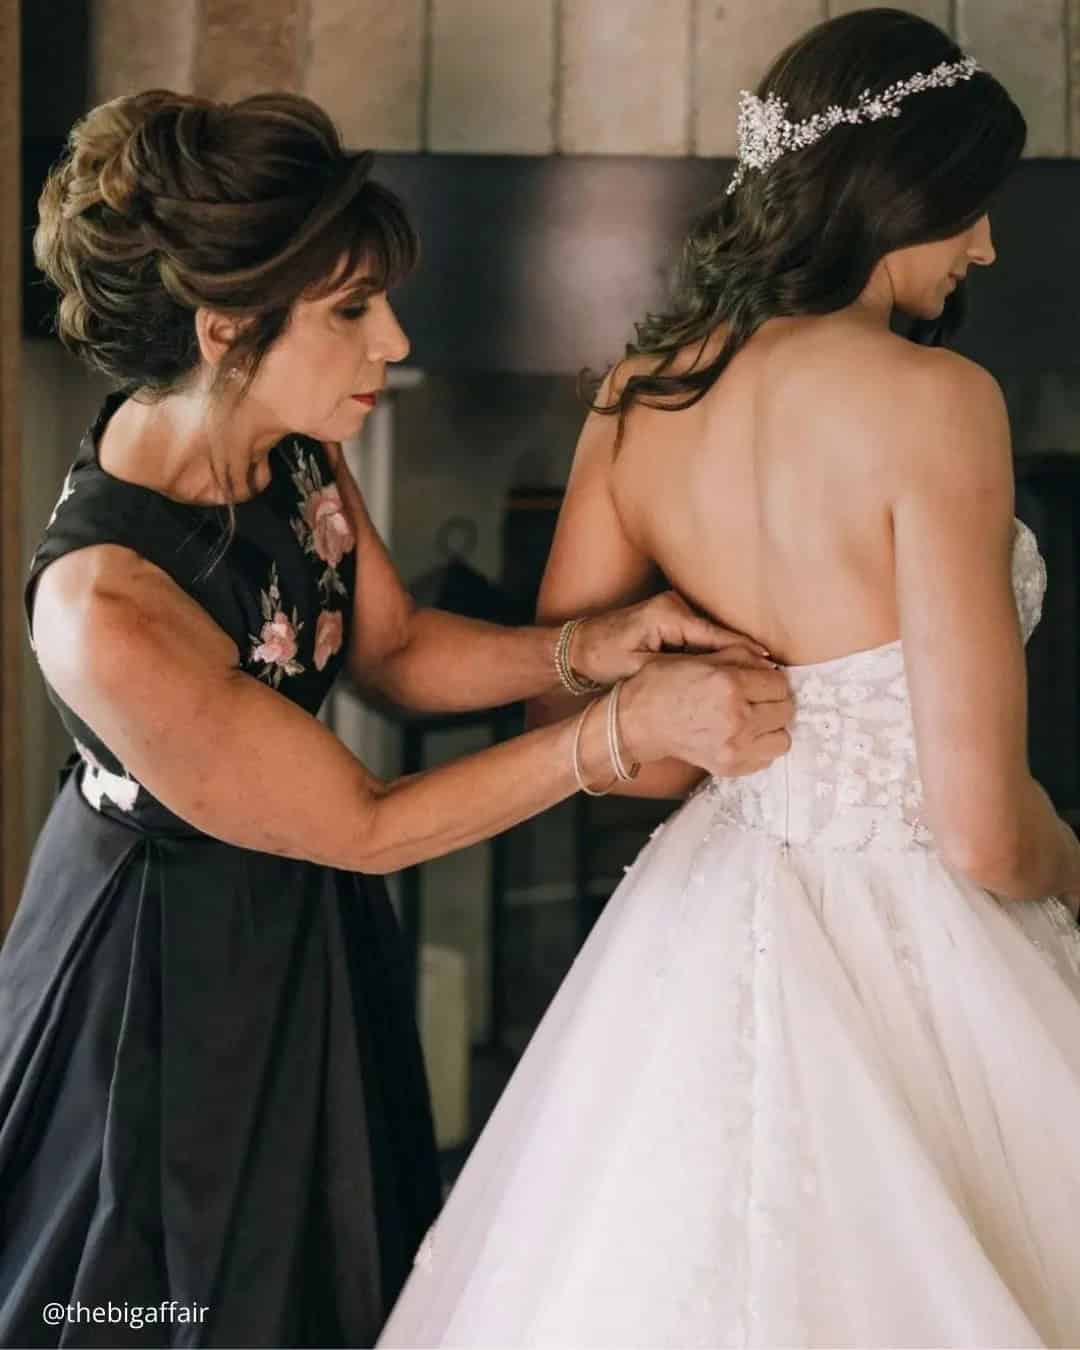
(211, 1086)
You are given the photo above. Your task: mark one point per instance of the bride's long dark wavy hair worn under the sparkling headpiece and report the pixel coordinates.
(804, 237)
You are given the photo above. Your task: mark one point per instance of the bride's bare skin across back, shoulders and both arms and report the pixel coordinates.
(839, 489)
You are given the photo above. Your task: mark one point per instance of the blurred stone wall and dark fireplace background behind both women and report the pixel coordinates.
(553, 153)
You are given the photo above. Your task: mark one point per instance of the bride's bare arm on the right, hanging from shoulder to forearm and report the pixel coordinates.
(952, 512)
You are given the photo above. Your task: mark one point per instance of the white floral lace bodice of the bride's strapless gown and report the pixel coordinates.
(851, 778)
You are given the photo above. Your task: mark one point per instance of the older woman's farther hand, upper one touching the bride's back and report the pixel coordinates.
(616, 646)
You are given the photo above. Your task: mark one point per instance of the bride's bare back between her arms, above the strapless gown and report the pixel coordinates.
(767, 504)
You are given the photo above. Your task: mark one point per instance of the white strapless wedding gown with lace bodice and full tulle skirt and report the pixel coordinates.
(803, 1087)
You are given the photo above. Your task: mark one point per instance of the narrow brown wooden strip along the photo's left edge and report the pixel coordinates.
(13, 843)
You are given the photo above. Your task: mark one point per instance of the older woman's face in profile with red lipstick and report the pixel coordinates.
(323, 376)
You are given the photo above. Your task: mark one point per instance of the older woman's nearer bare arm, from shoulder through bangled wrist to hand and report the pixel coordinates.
(160, 684)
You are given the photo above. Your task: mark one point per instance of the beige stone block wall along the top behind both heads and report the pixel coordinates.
(546, 76)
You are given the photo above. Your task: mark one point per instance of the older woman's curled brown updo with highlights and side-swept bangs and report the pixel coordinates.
(167, 203)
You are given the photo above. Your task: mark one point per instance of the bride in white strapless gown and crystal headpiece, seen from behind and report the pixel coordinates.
(815, 1079)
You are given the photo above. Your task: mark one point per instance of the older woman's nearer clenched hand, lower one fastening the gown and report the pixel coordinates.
(728, 719)
